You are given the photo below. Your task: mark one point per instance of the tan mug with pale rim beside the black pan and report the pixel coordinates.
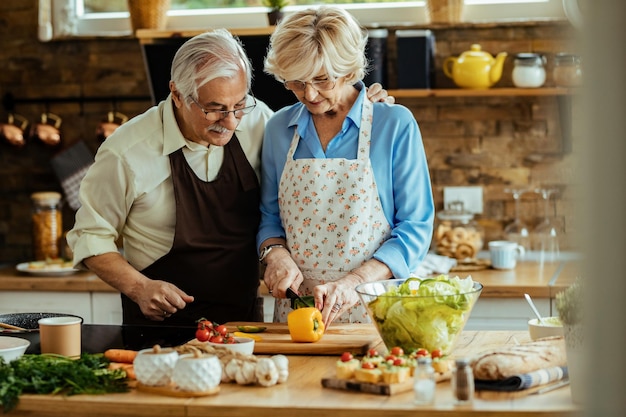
(60, 335)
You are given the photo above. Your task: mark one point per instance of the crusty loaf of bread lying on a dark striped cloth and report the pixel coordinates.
(498, 364)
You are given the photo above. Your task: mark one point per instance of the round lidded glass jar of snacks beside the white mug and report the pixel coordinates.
(457, 235)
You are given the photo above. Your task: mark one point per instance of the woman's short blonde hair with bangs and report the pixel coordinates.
(325, 39)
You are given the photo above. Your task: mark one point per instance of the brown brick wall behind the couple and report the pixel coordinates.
(493, 142)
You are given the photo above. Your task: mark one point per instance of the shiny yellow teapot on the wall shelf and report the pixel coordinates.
(474, 68)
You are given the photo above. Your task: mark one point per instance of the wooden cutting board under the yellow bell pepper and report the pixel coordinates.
(338, 338)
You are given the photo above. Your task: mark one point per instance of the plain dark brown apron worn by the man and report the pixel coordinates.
(213, 256)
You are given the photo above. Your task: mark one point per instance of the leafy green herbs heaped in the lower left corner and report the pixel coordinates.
(54, 374)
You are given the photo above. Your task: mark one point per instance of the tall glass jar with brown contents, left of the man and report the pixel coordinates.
(47, 225)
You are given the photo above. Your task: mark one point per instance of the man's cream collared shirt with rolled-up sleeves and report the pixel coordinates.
(128, 190)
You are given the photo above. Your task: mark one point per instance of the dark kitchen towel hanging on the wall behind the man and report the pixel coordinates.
(70, 166)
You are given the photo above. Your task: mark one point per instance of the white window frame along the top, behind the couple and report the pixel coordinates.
(64, 18)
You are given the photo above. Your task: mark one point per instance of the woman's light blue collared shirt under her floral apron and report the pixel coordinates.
(399, 165)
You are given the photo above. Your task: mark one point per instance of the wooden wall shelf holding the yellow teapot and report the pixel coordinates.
(488, 92)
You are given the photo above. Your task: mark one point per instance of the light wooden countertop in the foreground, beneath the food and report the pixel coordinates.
(303, 396)
